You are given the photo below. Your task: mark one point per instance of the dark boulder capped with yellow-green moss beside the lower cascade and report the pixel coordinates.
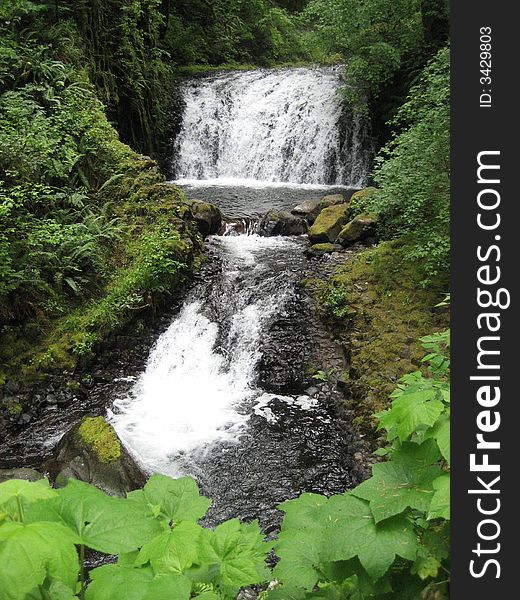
(92, 452)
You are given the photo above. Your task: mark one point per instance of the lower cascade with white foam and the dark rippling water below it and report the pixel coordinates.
(224, 395)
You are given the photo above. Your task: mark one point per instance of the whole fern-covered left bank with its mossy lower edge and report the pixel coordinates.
(89, 235)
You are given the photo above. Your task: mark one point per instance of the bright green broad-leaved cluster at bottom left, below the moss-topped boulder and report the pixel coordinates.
(162, 551)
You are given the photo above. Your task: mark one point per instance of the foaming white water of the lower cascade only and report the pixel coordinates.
(192, 394)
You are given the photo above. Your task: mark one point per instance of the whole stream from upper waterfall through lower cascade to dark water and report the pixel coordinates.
(224, 392)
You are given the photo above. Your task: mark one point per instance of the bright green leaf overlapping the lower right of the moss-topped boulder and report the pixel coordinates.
(177, 499)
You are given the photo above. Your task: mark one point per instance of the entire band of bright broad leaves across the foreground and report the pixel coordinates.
(386, 538)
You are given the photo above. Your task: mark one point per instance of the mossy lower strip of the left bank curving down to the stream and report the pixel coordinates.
(156, 249)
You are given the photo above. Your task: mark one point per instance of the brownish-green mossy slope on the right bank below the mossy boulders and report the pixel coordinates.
(378, 310)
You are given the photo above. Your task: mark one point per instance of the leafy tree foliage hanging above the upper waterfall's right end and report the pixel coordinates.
(378, 39)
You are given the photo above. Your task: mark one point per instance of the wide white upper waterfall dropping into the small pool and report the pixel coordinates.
(281, 125)
